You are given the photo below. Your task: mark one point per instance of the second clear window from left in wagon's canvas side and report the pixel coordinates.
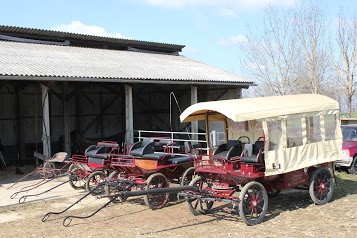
(293, 132)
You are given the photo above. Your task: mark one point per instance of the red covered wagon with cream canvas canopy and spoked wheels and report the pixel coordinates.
(273, 143)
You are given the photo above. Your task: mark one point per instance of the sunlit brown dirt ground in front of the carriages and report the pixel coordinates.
(291, 214)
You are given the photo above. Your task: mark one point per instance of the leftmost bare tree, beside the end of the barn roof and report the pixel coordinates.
(270, 57)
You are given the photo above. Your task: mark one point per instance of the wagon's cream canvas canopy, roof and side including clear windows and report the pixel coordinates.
(282, 157)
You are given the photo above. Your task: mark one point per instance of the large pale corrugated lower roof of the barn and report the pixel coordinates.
(38, 60)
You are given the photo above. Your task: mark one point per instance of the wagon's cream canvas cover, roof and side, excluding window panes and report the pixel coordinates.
(283, 159)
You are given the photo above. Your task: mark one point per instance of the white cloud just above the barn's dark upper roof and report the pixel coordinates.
(79, 27)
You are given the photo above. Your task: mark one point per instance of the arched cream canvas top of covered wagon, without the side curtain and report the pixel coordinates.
(258, 108)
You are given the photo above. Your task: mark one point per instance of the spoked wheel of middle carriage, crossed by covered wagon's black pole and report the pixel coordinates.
(156, 201)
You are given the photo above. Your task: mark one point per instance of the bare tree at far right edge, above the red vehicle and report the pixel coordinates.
(346, 64)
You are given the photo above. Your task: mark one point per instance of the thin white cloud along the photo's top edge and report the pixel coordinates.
(222, 4)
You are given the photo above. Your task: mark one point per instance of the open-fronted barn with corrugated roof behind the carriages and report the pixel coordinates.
(59, 90)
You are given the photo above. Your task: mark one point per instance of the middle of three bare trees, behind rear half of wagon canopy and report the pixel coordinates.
(310, 27)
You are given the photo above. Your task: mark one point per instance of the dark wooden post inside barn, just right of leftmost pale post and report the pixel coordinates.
(66, 129)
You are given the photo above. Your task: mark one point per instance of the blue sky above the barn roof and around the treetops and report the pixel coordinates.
(210, 29)
